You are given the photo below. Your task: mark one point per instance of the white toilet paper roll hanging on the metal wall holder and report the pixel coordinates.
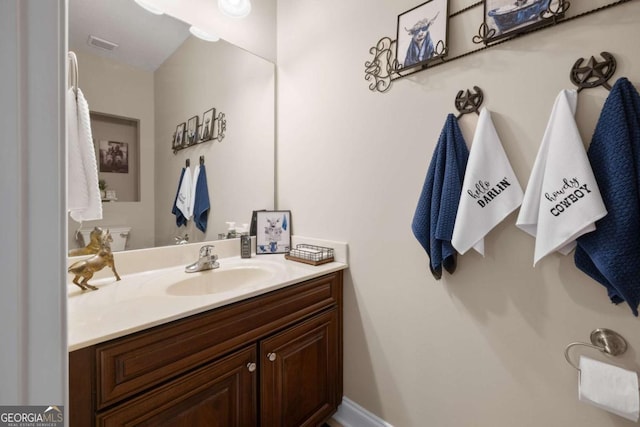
(610, 388)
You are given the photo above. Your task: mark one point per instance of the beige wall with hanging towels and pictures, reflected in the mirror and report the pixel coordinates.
(240, 168)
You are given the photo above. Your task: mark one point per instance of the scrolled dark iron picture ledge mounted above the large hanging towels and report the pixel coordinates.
(384, 68)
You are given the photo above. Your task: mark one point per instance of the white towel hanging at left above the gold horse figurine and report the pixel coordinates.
(83, 194)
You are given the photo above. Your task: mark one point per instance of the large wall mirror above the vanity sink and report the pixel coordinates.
(152, 85)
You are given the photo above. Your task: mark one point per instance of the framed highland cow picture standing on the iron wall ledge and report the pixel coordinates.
(422, 34)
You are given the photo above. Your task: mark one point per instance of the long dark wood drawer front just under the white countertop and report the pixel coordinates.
(130, 365)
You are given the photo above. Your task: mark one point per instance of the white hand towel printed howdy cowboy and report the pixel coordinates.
(562, 200)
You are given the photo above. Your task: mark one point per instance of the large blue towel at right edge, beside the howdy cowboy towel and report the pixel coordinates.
(611, 254)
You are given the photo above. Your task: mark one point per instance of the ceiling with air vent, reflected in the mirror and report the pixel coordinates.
(144, 40)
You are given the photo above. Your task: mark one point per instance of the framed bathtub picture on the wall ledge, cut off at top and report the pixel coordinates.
(508, 18)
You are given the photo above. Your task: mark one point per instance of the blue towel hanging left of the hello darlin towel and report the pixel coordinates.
(435, 214)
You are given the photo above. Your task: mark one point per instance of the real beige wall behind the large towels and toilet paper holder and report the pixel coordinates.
(483, 347)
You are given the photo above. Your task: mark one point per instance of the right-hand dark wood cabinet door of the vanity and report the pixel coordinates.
(299, 373)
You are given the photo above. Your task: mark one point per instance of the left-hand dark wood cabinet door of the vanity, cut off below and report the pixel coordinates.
(221, 394)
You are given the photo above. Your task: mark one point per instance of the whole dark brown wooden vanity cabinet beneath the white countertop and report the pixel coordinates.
(274, 360)
